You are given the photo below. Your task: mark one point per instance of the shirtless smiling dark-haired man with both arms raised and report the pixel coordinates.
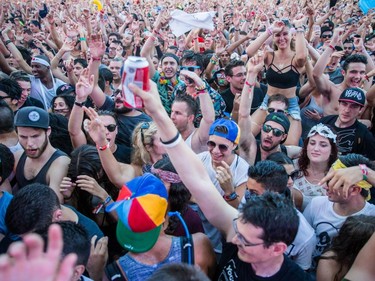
(354, 68)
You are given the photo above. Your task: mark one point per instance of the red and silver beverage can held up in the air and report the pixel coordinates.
(135, 71)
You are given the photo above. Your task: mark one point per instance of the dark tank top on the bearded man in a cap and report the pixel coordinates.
(41, 176)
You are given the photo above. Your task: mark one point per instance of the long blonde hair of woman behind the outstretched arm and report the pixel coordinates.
(142, 136)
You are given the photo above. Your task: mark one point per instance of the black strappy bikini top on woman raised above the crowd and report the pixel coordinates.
(282, 80)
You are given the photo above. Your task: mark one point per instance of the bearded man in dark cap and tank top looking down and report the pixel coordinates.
(40, 161)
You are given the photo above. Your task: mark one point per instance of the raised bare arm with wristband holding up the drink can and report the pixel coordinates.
(188, 166)
